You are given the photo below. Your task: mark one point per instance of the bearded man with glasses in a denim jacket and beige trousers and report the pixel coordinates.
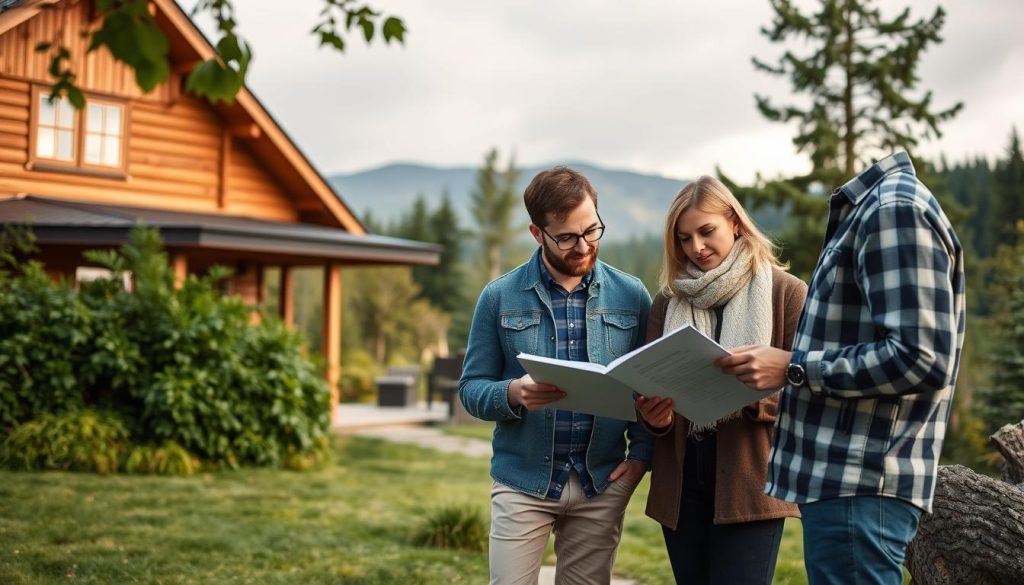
(557, 470)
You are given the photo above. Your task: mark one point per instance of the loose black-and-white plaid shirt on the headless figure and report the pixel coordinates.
(880, 339)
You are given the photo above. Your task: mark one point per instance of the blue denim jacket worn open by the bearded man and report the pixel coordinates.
(515, 315)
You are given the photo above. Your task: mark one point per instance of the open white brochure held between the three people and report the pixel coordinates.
(680, 366)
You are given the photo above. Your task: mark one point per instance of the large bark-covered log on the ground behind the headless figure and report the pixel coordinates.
(974, 536)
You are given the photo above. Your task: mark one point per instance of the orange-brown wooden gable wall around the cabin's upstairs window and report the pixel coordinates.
(176, 149)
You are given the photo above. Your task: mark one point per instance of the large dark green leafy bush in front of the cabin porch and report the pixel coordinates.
(180, 366)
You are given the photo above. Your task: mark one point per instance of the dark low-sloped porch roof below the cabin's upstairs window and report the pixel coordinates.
(57, 222)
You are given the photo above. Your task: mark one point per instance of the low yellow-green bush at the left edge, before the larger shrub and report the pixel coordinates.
(83, 441)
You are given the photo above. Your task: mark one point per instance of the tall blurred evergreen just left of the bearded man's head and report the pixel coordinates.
(493, 203)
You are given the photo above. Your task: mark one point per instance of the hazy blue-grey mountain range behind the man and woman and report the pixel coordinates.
(632, 204)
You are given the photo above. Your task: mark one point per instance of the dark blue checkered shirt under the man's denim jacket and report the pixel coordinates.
(573, 430)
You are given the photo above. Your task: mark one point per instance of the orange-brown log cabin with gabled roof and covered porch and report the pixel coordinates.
(224, 184)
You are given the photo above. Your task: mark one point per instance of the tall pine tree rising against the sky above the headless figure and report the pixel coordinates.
(860, 74)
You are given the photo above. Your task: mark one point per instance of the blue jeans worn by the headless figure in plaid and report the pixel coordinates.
(860, 540)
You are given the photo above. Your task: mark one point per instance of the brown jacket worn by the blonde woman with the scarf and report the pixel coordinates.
(743, 443)
